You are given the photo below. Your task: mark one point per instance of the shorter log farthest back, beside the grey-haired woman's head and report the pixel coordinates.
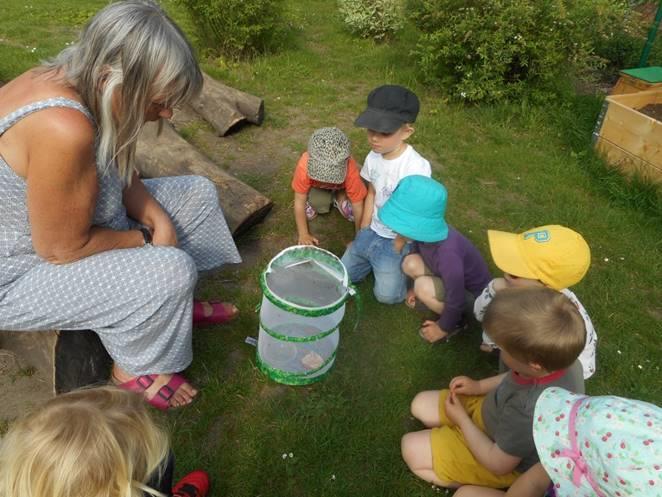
(224, 107)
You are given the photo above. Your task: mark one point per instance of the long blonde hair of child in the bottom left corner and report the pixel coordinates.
(98, 442)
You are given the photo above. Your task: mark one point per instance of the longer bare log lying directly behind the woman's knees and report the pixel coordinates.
(168, 154)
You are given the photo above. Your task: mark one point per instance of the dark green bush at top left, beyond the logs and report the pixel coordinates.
(238, 28)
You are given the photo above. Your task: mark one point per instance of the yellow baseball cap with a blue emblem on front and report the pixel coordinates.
(553, 254)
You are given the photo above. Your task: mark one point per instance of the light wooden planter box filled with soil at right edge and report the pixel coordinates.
(629, 139)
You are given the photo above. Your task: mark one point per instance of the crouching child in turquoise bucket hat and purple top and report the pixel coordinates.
(447, 269)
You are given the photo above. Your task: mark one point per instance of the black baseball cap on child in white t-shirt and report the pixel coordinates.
(389, 107)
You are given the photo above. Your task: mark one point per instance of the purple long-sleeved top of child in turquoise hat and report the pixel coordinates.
(461, 267)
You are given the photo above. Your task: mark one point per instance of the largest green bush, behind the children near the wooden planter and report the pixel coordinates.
(499, 49)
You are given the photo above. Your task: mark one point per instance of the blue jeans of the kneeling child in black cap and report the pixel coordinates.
(371, 252)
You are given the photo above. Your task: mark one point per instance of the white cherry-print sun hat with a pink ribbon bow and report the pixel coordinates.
(599, 446)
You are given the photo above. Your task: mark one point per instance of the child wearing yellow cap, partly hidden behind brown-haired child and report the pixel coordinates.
(553, 256)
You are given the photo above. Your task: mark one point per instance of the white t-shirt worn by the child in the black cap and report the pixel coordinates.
(385, 176)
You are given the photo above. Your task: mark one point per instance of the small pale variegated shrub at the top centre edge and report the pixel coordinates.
(376, 19)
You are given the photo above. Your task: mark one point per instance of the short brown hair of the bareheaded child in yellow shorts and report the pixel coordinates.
(536, 326)
